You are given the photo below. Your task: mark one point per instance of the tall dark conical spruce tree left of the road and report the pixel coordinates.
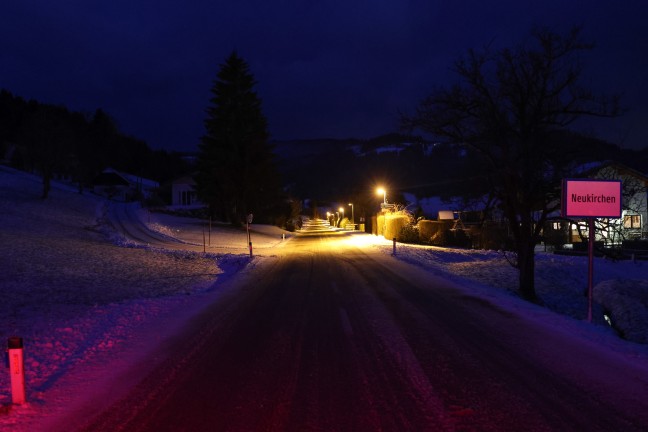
(236, 169)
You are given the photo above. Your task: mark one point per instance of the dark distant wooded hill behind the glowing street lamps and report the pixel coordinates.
(348, 169)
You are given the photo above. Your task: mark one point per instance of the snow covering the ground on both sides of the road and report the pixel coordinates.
(81, 300)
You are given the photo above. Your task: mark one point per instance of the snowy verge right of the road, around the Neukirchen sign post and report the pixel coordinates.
(620, 287)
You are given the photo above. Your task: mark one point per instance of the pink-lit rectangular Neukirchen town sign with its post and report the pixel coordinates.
(591, 199)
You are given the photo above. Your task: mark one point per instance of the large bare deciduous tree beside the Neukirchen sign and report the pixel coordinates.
(511, 105)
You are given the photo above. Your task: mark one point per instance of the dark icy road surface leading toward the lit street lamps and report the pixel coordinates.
(332, 337)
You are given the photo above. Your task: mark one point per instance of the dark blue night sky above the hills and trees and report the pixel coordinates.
(330, 68)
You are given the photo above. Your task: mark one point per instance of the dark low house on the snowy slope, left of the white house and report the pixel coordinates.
(122, 186)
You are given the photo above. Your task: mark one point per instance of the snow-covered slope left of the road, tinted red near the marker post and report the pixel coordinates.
(76, 298)
